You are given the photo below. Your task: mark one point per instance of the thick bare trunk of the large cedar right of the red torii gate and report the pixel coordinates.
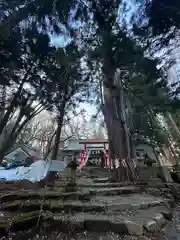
(119, 146)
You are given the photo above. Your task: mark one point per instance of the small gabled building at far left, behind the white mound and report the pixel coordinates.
(24, 154)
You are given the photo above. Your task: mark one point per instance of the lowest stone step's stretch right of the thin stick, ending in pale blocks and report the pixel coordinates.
(150, 220)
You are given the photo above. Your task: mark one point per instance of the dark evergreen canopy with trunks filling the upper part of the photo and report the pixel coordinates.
(100, 57)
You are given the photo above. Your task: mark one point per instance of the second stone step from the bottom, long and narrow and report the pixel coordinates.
(97, 204)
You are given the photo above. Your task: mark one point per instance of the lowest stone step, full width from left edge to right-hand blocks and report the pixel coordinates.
(138, 222)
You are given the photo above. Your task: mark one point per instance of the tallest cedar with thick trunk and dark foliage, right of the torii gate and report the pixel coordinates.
(109, 44)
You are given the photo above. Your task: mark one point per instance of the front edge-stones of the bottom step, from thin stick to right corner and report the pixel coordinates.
(138, 223)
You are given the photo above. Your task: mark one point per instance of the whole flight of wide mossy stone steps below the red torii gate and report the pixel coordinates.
(97, 206)
